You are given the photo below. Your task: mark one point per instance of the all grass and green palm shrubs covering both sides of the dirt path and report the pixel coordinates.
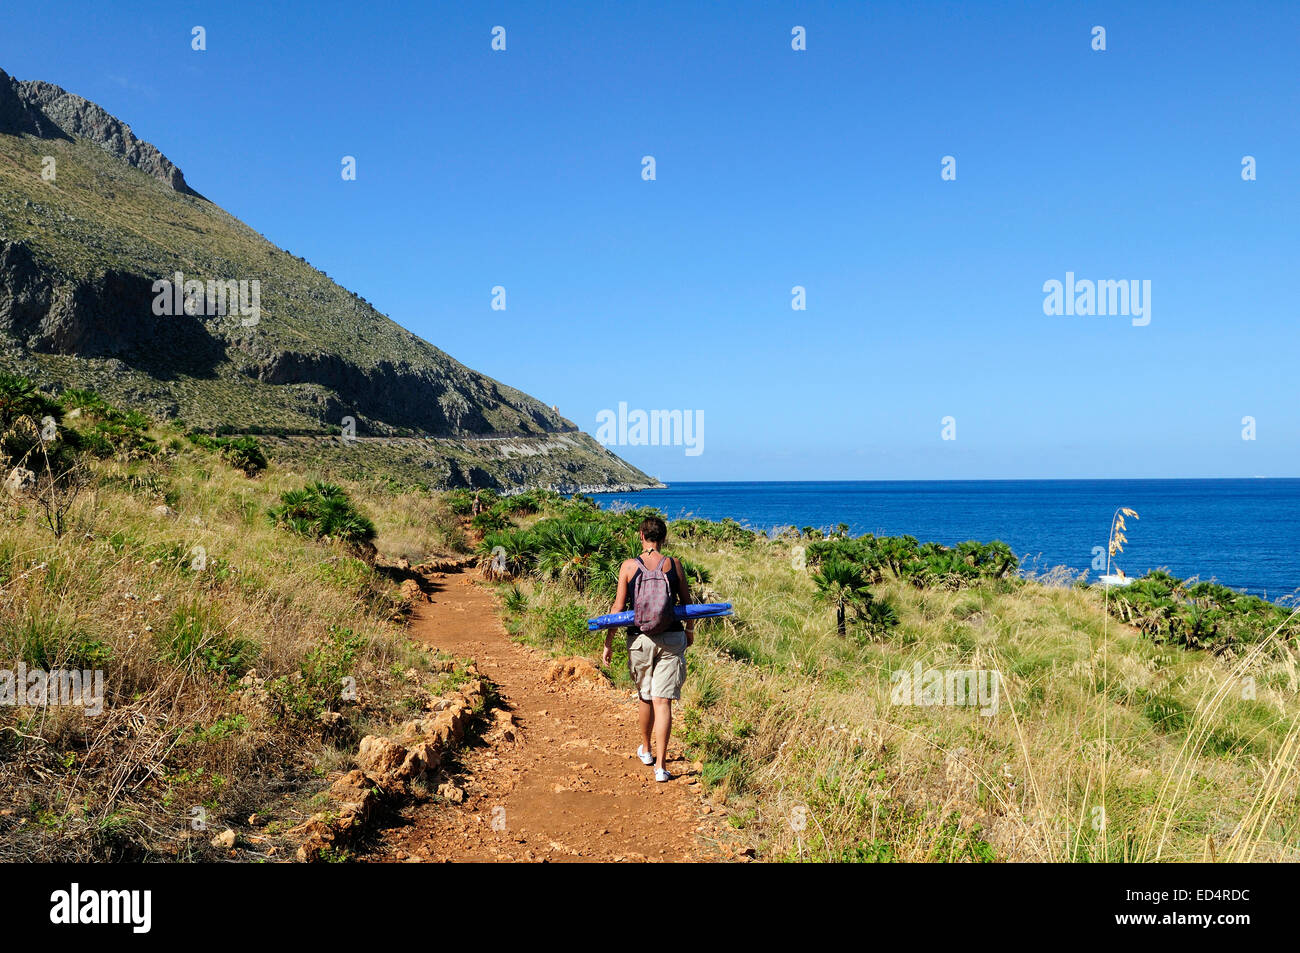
(232, 601)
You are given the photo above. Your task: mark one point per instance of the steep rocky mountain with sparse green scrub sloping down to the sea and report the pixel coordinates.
(244, 336)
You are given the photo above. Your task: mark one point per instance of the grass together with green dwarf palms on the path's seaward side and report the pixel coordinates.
(1108, 742)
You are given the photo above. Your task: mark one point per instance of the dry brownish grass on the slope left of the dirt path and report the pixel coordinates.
(123, 592)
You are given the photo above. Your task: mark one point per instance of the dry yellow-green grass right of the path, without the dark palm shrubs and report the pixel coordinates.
(1106, 747)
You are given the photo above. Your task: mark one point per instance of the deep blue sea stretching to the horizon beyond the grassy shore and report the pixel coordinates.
(1242, 534)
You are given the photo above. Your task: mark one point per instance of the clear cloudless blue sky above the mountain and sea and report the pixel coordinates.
(775, 168)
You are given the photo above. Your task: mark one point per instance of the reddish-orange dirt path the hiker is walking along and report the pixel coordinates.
(567, 786)
